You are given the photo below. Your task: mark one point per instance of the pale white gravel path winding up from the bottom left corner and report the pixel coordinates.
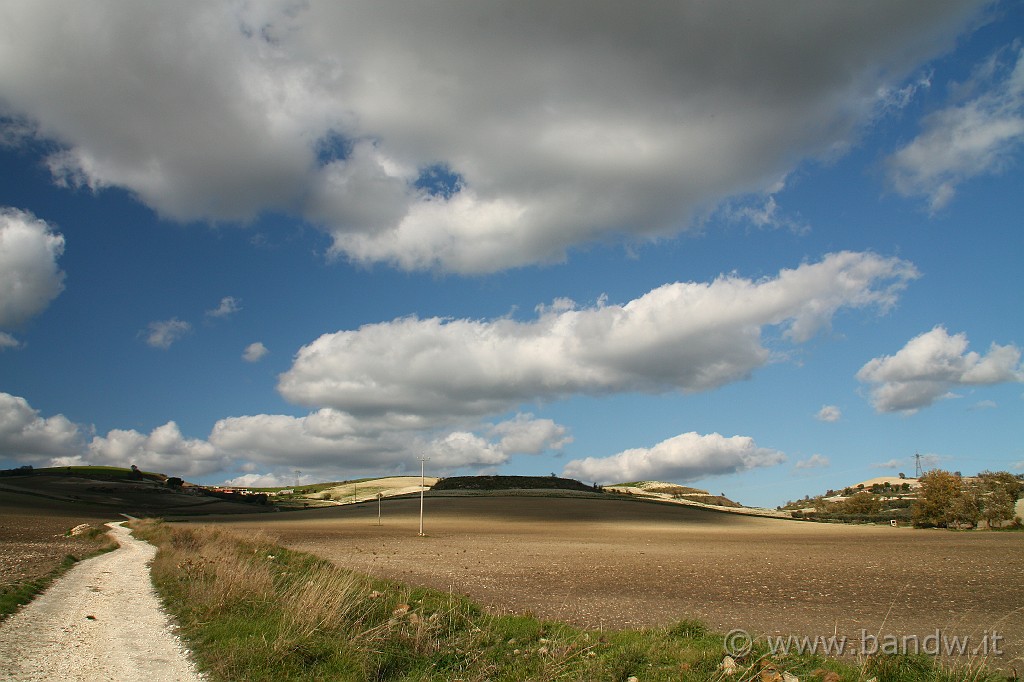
(102, 621)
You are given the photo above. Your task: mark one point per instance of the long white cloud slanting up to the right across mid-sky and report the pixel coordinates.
(684, 336)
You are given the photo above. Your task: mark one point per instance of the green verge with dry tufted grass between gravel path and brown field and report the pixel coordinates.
(254, 611)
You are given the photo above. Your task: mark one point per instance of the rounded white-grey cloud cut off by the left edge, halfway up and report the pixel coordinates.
(30, 278)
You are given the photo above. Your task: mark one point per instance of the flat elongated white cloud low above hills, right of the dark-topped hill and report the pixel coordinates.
(684, 458)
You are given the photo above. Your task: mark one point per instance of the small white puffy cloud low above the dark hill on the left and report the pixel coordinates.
(164, 450)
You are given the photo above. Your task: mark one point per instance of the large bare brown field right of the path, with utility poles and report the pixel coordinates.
(629, 565)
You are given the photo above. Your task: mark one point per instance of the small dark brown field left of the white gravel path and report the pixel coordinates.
(32, 535)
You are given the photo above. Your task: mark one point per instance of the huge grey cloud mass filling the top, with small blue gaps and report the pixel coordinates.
(457, 137)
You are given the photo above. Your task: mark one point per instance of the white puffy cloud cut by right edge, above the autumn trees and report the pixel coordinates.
(933, 364)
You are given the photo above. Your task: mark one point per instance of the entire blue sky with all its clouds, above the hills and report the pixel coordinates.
(760, 248)
